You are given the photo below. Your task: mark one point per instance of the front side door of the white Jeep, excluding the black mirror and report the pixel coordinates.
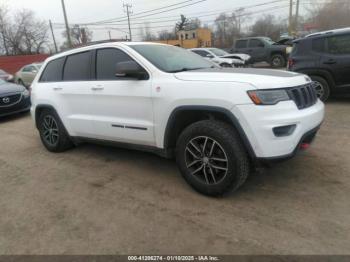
(122, 110)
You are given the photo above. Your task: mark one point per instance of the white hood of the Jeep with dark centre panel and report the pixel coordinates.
(259, 78)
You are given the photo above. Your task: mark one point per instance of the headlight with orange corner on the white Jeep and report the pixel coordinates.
(268, 97)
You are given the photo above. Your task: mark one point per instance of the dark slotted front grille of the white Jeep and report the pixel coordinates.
(303, 96)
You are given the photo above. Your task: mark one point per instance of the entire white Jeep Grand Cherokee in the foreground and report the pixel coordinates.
(218, 123)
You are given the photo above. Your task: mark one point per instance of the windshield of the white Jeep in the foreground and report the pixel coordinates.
(172, 59)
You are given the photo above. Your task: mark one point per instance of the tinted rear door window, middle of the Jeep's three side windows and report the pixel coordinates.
(77, 67)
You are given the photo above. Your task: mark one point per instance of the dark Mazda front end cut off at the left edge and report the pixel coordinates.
(13, 99)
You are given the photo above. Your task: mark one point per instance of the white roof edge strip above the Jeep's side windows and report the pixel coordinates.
(99, 45)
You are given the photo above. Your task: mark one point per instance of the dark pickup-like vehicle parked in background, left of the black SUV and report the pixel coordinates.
(262, 49)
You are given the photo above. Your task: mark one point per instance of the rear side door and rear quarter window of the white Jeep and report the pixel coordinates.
(67, 82)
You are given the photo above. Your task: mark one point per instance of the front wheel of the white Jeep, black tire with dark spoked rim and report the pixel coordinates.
(228, 144)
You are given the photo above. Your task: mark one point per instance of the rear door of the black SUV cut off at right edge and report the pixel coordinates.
(337, 58)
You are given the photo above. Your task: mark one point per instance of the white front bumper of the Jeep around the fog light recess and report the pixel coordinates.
(258, 123)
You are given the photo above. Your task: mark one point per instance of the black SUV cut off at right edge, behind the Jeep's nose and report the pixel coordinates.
(325, 57)
